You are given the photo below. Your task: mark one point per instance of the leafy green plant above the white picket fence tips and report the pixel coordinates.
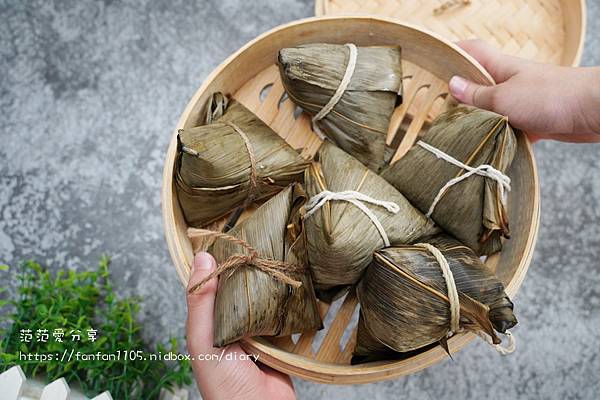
(76, 302)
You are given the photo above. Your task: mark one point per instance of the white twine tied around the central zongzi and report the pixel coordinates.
(359, 200)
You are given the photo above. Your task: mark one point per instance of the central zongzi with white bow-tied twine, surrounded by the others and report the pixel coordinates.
(350, 213)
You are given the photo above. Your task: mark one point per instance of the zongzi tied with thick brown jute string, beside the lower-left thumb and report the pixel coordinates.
(264, 286)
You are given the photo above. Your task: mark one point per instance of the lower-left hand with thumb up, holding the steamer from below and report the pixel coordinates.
(225, 379)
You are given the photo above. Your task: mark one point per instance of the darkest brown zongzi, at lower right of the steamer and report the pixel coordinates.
(416, 295)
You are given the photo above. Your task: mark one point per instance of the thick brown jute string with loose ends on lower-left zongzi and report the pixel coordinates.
(277, 269)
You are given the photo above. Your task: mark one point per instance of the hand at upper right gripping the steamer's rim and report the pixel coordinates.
(546, 101)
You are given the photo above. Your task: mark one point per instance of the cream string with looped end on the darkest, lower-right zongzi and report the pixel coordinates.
(454, 301)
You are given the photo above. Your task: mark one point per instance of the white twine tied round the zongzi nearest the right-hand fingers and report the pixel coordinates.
(484, 170)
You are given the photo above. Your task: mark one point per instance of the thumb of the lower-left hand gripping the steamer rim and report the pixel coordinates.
(201, 305)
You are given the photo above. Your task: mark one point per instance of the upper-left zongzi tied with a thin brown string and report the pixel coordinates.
(230, 161)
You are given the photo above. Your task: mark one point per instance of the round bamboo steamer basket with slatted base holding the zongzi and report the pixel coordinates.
(428, 61)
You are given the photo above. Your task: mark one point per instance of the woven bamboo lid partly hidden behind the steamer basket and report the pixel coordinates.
(550, 31)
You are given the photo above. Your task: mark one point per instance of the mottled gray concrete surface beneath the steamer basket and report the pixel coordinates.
(89, 94)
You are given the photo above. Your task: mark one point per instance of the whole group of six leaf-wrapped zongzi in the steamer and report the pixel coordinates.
(380, 235)
